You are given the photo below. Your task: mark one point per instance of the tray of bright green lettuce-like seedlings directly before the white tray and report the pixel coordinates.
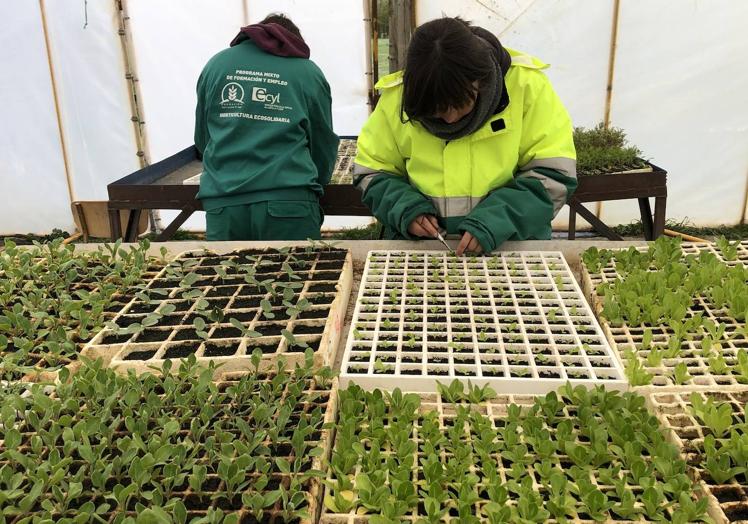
(464, 457)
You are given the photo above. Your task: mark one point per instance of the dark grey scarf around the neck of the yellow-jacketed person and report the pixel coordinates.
(489, 95)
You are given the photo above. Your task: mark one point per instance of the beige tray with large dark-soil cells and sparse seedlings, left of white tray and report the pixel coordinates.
(224, 307)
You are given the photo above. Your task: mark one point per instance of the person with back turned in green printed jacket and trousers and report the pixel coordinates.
(263, 125)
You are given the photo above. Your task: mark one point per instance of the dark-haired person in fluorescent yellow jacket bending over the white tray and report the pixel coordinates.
(470, 138)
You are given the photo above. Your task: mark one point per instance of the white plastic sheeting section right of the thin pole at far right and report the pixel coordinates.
(683, 98)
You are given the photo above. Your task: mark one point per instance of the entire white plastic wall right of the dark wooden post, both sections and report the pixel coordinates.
(679, 86)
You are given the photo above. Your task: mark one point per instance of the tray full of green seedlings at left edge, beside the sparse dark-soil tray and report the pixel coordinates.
(53, 300)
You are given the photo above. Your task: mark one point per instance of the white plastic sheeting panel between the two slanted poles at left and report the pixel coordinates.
(94, 101)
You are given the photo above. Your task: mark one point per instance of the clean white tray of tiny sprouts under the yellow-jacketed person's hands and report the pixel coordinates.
(516, 321)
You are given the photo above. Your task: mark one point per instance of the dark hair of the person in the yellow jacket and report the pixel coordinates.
(444, 59)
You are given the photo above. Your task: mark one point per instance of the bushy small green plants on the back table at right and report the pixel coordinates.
(601, 151)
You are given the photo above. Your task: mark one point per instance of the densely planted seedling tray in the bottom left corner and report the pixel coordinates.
(101, 447)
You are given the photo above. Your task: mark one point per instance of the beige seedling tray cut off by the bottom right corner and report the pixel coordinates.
(687, 429)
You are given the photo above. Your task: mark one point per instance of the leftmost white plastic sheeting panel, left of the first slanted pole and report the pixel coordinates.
(32, 173)
